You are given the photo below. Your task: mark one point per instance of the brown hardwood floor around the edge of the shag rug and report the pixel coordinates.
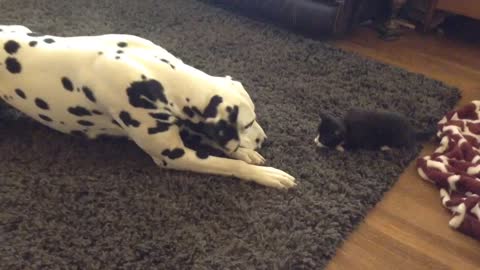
(409, 229)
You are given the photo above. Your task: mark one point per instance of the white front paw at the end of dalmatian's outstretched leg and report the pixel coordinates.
(272, 177)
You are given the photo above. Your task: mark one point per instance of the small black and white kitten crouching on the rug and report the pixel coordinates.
(372, 130)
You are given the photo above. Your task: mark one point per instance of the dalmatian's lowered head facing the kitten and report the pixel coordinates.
(230, 118)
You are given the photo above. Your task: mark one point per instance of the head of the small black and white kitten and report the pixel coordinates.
(331, 132)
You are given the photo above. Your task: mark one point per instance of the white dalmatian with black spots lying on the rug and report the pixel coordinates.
(125, 85)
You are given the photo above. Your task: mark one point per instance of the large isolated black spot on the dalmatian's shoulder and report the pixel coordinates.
(144, 94)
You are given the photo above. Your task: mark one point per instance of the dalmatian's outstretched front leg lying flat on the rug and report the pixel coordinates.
(168, 151)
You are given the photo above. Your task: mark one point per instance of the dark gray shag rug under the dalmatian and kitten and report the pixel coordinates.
(67, 203)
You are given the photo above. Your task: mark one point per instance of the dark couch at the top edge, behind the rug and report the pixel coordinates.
(319, 18)
